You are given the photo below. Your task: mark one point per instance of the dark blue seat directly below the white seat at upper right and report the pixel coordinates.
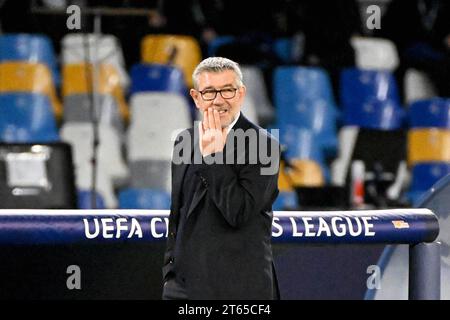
(370, 99)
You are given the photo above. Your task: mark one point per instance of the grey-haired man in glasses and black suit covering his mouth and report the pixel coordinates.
(221, 214)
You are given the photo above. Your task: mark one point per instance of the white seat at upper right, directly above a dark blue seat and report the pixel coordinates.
(375, 53)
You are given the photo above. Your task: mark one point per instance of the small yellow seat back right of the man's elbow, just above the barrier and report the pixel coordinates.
(306, 173)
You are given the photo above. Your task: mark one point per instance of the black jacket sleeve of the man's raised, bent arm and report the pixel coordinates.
(240, 194)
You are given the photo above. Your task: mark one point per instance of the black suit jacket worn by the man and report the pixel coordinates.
(225, 247)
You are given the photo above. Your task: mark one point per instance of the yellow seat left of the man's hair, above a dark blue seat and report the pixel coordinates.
(180, 51)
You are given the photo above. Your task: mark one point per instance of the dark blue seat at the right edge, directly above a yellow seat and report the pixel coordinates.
(430, 113)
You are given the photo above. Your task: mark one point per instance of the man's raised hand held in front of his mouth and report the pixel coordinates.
(212, 136)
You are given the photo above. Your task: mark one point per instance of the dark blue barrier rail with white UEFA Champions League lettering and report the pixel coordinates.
(416, 227)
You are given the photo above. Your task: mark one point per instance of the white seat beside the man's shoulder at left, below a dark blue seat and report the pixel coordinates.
(156, 118)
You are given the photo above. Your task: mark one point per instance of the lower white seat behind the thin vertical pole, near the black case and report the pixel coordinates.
(109, 152)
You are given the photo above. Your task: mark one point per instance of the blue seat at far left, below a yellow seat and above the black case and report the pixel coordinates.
(27, 117)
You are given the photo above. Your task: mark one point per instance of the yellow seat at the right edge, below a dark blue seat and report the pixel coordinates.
(425, 145)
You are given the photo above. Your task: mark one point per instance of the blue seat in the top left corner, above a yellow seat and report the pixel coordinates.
(35, 48)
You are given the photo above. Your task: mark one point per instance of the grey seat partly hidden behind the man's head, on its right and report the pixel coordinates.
(256, 89)
